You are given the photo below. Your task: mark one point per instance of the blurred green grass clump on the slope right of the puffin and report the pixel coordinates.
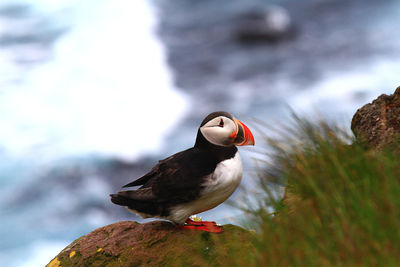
(341, 206)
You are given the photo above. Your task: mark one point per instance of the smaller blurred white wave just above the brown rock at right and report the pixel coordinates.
(347, 90)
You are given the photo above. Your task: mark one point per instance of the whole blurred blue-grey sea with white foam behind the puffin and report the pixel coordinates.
(93, 93)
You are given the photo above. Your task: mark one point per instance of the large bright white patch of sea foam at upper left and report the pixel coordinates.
(107, 89)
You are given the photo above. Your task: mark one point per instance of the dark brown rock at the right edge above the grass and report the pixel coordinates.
(378, 123)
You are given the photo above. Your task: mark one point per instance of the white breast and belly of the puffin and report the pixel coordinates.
(218, 187)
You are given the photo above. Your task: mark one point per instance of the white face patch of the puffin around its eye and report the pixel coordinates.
(218, 130)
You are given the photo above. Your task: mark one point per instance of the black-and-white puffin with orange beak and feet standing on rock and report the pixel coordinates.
(194, 180)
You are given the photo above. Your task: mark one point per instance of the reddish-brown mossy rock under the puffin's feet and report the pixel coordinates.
(156, 243)
